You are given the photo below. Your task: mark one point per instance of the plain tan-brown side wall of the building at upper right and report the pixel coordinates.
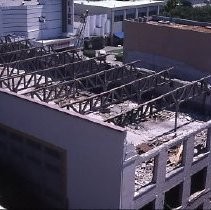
(190, 47)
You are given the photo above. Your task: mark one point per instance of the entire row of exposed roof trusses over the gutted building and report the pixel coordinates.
(90, 85)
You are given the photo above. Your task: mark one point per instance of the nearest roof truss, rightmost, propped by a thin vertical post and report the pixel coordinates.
(168, 100)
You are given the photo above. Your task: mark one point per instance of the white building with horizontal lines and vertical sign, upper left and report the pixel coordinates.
(38, 19)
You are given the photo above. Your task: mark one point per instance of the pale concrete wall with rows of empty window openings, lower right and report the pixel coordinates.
(163, 181)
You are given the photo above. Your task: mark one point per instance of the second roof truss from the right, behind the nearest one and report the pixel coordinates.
(130, 90)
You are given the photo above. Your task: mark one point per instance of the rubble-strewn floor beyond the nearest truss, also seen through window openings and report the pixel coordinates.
(155, 132)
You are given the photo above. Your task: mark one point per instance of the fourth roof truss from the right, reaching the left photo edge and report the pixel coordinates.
(47, 76)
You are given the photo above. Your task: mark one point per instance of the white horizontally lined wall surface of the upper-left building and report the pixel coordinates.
(25, 19)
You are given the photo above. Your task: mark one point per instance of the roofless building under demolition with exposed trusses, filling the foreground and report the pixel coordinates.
(89, 135)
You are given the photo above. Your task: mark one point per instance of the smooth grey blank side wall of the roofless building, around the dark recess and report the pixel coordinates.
(94, 151)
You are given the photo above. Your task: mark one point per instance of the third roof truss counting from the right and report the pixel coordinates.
(101, 79)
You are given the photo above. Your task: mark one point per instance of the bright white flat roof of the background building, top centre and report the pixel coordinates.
(118, 4)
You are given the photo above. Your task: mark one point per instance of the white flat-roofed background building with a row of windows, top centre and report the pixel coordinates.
(117, 11)
